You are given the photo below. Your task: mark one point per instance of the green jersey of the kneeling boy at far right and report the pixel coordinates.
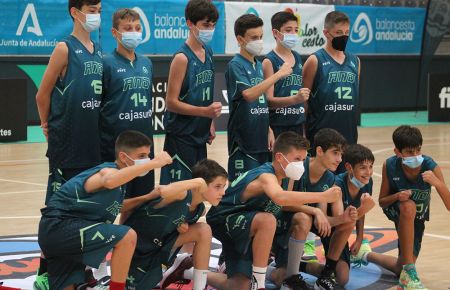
(421, 191)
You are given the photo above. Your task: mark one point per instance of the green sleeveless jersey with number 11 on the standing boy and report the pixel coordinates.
(197, 90)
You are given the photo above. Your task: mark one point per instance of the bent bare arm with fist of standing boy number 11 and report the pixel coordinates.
(177, 72)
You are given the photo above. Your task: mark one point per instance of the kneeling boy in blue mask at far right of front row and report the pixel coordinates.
(405, 196)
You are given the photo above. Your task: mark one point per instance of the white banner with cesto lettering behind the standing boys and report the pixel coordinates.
(311, 18)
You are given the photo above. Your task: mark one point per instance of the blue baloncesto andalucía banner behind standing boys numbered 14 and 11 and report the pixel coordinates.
(164, 25)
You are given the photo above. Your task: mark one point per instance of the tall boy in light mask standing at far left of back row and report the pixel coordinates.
(68, 102)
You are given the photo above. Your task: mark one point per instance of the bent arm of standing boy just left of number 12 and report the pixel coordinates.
(282, 101)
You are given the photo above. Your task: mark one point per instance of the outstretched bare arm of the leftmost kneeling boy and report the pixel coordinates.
(111, 178)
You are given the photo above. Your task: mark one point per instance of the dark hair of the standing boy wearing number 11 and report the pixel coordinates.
(197, 10)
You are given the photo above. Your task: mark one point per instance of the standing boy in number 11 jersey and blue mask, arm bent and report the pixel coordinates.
(190, 106)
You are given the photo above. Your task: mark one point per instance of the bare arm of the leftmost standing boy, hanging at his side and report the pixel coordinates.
(56, 66)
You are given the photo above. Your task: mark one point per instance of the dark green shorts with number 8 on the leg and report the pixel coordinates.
(240, 162)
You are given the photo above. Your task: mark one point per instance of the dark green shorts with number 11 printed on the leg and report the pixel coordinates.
(184, 156)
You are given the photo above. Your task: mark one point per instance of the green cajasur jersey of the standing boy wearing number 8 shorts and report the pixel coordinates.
(248, 124)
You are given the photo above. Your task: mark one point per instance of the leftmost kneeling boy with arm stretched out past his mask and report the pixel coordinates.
(76, 226)
